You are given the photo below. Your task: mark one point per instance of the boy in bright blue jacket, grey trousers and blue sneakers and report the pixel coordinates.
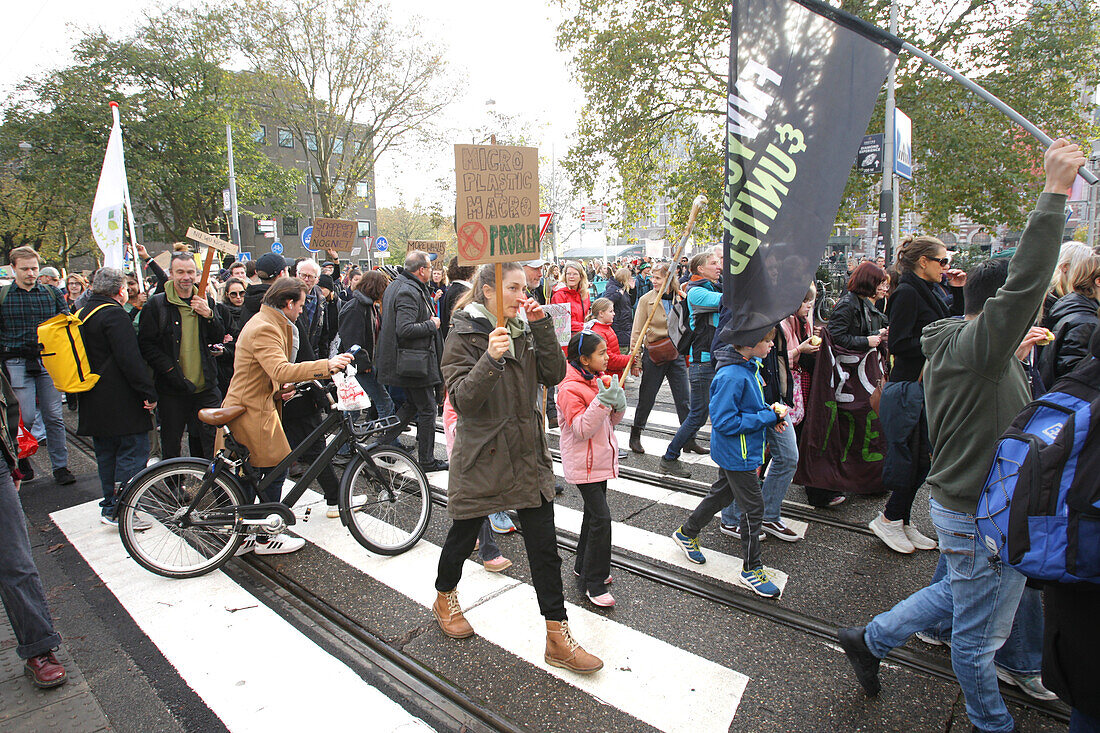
(739, 418)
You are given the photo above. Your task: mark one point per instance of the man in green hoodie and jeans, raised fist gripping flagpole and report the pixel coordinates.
(975, 386)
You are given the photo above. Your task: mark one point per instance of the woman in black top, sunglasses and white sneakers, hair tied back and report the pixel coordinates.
(918, 301)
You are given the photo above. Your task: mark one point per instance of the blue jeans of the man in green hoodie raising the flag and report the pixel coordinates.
(980, 599)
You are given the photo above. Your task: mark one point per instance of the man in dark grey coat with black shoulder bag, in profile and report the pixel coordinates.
(409, 353)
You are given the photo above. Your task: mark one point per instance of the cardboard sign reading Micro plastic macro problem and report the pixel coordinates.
(498, 207)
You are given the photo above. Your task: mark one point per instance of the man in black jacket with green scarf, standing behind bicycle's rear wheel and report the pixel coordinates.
(175, 334)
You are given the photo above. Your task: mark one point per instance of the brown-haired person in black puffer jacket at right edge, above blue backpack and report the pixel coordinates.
(1073, 320)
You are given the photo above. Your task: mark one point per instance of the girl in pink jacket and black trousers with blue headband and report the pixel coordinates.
(589, 409)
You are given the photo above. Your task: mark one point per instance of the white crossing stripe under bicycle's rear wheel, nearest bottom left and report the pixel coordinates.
(251, 668)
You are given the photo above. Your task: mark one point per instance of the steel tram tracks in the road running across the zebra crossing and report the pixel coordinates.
(454, 705)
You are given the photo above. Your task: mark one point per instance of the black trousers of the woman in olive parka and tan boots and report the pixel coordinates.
(541, 539)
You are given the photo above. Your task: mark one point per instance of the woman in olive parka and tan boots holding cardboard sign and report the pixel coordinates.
(501, 460)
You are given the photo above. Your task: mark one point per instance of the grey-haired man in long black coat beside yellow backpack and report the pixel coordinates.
(116, 412)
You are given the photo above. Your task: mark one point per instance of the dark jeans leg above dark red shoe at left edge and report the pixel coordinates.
(20, 586)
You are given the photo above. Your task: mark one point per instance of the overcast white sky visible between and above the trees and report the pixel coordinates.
(505, 50)
